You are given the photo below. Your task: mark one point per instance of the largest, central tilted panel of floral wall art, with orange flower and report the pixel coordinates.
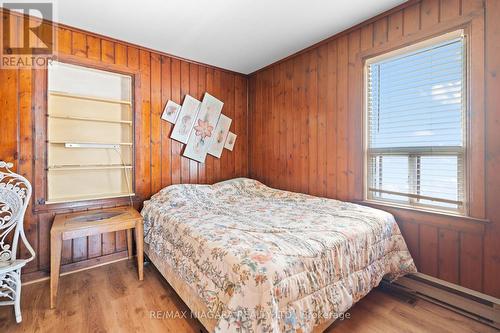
(204, 128)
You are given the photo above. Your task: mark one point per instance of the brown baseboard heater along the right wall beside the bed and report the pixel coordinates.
(470, 303)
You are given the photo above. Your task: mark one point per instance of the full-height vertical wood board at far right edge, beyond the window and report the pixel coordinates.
(491, 247)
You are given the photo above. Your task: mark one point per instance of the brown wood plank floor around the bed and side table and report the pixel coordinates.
(111, 299)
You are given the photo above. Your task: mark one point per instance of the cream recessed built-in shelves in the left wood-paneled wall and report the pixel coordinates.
(89, 134)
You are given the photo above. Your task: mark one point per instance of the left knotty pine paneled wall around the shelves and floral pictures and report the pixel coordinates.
(158, 160)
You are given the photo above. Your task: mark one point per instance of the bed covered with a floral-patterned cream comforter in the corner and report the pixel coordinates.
(245, 257)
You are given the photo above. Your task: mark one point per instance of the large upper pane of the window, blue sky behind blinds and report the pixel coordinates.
(417, 99)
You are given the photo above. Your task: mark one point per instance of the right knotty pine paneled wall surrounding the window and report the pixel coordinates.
(306, 116)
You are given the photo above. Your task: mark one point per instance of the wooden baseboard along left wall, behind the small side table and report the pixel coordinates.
(74, 267)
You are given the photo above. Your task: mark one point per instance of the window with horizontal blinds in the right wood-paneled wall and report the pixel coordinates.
(416, 125)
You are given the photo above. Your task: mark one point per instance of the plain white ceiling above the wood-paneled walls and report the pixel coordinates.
(240, 35)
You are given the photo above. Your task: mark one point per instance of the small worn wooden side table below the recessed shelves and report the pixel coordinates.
(89, 223)
